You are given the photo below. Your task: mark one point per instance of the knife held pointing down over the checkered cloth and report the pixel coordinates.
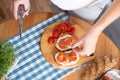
(21, 10)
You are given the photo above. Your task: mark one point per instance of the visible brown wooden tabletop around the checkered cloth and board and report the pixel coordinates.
(104, 45)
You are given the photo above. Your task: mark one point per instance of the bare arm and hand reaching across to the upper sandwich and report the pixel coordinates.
(89, 40)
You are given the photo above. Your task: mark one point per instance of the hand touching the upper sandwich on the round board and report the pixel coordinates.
(87, 44)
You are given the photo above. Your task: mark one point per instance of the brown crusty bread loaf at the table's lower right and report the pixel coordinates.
(98, 67)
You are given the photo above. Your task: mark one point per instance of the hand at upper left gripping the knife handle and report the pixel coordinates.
(16, 4)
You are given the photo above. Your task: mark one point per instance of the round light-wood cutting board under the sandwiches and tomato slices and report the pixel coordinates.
(49, 50)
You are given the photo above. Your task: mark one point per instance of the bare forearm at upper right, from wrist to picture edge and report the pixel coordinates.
(112, 13)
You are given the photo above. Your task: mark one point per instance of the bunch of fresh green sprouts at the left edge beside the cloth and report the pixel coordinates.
(7, 57)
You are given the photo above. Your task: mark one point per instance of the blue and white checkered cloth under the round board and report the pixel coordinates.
(31, 64)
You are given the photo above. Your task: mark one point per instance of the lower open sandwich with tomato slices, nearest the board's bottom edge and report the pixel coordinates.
(67, 58)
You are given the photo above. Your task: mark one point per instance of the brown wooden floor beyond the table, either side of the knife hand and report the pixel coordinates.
(36, 6)
